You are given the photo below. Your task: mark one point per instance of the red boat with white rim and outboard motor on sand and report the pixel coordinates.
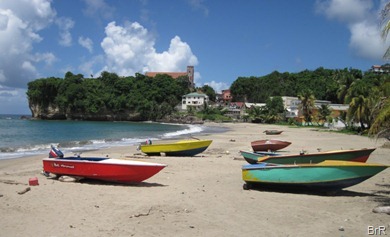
(101, 168)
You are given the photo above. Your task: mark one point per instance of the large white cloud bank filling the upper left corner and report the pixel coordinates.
(20, 22)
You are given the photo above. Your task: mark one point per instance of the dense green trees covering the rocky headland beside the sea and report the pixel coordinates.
(144, 97)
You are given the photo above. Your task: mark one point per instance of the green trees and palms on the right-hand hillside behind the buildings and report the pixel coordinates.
(367, 95)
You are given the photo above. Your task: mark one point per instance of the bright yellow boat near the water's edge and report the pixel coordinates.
(180, 148)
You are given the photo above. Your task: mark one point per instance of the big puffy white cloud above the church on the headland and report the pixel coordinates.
(130, 49)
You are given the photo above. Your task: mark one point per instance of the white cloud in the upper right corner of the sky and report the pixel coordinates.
(363, 23)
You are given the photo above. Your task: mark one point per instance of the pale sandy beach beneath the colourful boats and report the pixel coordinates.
(195, 196)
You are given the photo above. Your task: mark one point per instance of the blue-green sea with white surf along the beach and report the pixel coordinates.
(21, 137)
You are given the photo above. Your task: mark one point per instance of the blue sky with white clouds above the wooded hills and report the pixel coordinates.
(223, 39)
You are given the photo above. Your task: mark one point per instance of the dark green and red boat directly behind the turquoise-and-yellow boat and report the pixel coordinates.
(358, 155)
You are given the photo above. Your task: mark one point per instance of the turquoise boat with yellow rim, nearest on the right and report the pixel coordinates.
(327, 175)
